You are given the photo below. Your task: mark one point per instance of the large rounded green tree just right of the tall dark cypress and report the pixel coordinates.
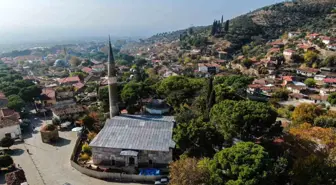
(246, 120)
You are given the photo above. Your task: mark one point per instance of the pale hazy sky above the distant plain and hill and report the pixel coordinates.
(29, 20)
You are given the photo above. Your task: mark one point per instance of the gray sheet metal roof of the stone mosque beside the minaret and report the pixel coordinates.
(136, 133)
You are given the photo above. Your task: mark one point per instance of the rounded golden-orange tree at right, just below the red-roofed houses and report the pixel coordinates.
(306, 113)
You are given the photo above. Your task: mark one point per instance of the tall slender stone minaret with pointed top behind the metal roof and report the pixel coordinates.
(112, 83)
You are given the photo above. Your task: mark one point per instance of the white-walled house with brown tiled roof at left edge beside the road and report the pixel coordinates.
(9, 124)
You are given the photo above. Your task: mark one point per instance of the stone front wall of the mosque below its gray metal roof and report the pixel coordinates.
(106, 155)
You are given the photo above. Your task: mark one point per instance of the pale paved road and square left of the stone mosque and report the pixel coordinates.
(49, 164)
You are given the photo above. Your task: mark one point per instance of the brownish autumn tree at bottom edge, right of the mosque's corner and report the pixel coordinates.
(187, 171)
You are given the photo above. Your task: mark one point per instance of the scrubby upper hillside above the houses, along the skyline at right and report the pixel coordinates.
(263, 24)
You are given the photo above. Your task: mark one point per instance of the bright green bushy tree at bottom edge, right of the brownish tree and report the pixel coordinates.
(243, 163)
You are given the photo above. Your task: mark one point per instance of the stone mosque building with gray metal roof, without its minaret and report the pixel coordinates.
(135, 141)
